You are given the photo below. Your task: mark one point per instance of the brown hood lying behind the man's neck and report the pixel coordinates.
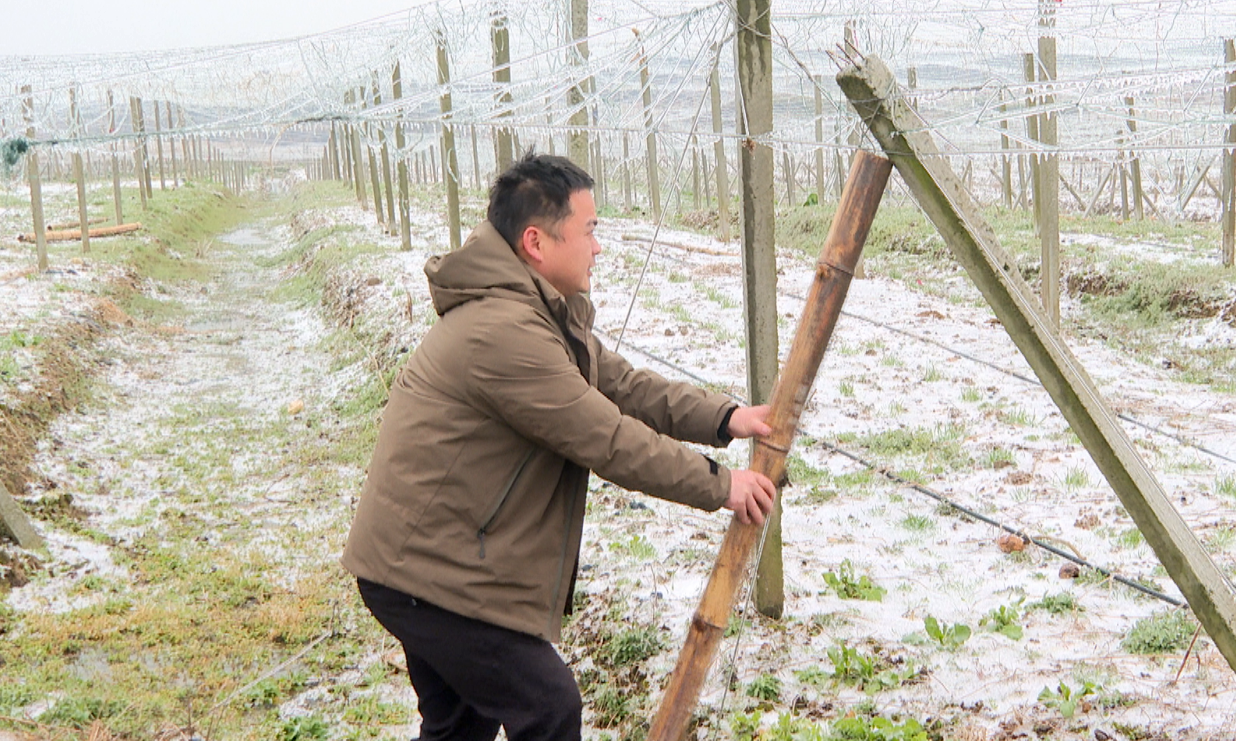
(485, 266)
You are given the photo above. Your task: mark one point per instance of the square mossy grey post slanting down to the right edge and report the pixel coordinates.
(872, 90)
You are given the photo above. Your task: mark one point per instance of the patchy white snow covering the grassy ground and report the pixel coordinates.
(897, 364)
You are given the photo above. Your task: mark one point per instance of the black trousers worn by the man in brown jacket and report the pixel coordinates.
(473, 677)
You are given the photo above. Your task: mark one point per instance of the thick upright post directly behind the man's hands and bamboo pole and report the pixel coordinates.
(755, 43)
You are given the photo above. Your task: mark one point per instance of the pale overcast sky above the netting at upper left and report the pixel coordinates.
(102, 27)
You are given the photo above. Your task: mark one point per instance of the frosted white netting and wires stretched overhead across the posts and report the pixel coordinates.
(1133, 80)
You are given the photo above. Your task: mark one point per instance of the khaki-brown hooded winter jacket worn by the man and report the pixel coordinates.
(476, 492)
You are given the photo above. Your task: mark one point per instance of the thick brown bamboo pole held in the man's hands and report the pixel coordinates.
(834, 275)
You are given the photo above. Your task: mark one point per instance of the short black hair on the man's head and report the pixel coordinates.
(536, 191)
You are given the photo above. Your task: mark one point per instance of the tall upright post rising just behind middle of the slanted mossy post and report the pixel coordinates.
(1050, 170)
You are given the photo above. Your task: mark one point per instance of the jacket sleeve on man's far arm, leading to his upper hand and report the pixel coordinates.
(680, 411)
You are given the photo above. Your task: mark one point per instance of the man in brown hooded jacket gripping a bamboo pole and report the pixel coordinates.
(468, 534)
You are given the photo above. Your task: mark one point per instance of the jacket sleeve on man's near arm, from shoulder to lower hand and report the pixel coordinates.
(521, 374)
